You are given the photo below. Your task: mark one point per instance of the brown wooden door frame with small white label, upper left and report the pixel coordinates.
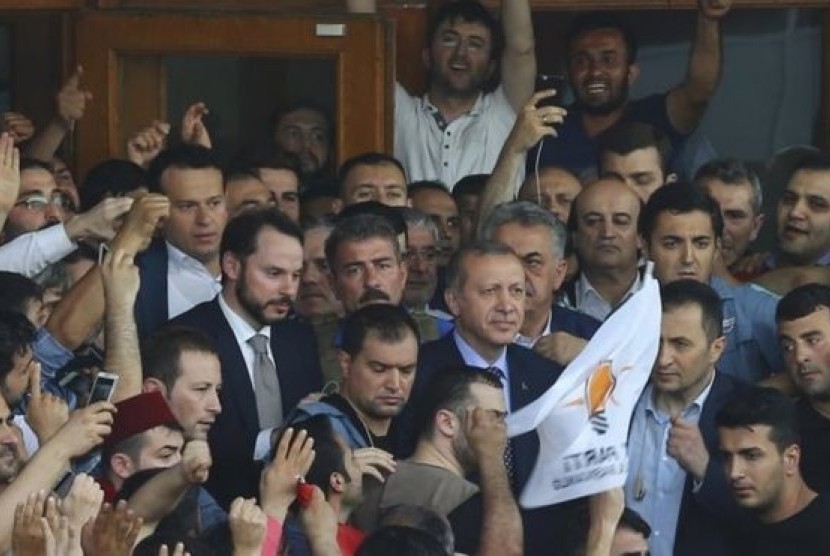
(104, 39)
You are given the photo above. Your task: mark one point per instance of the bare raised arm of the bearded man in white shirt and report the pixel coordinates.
(518, 63)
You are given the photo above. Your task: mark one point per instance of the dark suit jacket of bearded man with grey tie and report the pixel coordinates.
(233, 435)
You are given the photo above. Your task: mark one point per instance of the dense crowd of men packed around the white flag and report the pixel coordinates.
(279, 355)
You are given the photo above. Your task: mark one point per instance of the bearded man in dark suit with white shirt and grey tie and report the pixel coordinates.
(269, 363)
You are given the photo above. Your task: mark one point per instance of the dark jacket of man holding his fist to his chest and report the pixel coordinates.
(709, 518)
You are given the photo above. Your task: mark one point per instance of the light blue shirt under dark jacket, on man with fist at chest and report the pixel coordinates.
(653, 476)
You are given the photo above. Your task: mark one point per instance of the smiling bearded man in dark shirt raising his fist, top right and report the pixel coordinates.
(602, 65)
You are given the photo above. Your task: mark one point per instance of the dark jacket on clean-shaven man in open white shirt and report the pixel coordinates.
(151, 309)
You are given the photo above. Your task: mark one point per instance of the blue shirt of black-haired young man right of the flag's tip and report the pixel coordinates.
(752, 350)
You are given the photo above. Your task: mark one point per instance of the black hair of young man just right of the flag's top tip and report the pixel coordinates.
(679, 198)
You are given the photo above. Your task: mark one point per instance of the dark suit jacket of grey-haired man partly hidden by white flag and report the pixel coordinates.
(530, 375)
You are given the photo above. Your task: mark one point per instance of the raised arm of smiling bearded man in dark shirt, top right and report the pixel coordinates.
(687, 103)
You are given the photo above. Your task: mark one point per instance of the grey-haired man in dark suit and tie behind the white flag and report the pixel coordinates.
(486, 295)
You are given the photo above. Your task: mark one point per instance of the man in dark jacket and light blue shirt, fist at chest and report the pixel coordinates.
(676, 480)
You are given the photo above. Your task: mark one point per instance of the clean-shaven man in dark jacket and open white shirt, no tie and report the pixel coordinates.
(182, 270)
